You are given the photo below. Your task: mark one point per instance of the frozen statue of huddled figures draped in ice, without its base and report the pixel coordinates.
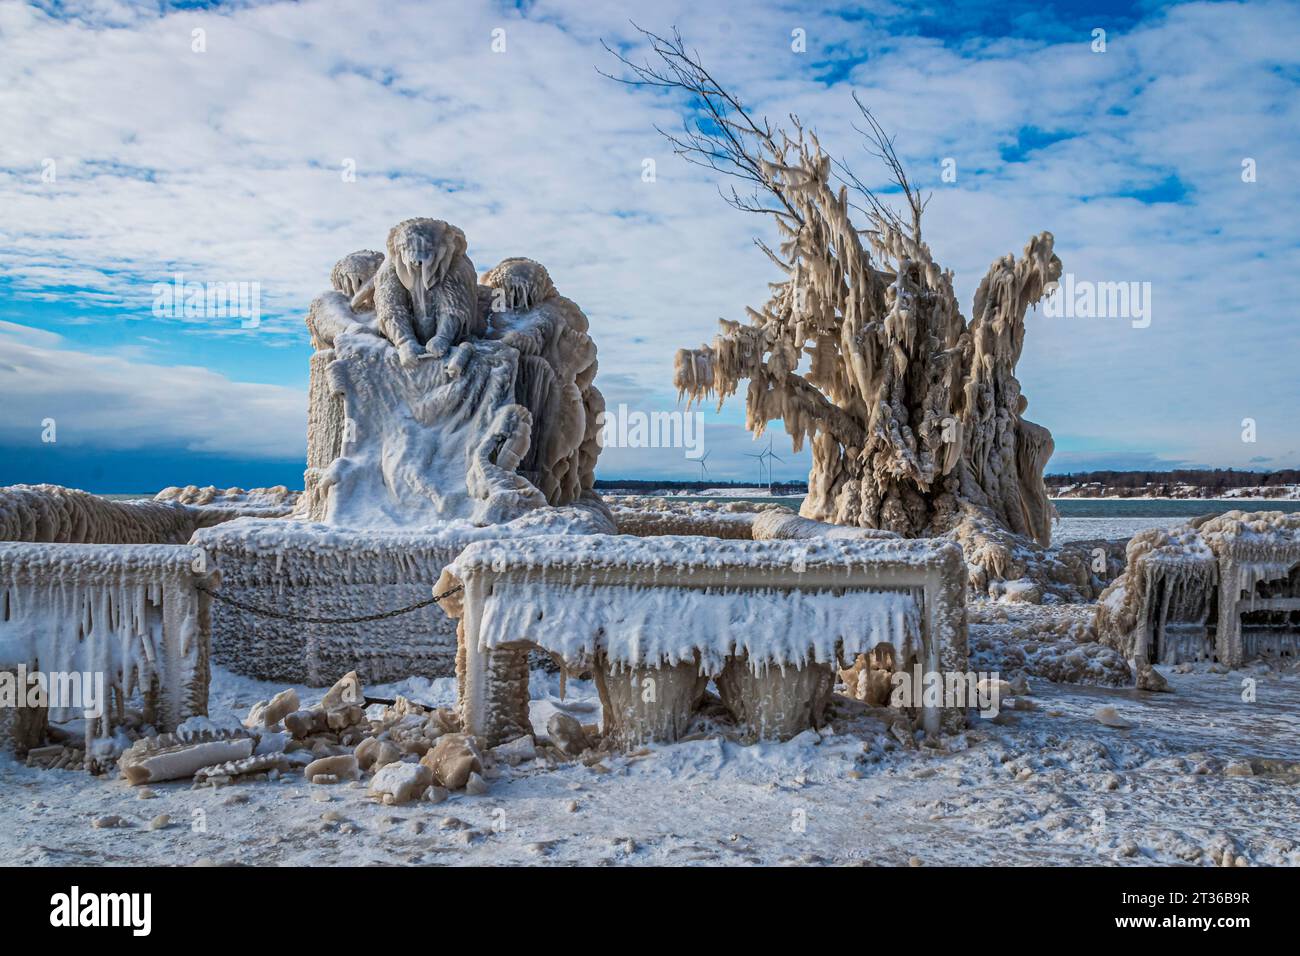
(440, 399)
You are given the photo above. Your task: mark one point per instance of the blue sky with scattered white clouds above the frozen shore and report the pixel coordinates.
(218, 141)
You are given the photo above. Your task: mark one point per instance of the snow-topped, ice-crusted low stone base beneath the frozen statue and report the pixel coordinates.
(309, 570)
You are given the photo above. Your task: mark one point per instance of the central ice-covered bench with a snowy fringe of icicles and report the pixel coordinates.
(768, 620)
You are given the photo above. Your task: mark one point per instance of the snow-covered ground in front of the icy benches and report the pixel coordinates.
(1042, 785)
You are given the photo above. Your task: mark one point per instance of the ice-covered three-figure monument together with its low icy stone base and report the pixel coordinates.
(443, 410)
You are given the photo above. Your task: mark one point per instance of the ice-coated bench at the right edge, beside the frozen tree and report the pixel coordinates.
(1225, 587)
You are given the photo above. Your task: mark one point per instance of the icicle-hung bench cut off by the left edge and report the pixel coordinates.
(132, 613)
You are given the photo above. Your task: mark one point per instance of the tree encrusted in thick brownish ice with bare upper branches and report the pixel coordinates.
(913, 413)
